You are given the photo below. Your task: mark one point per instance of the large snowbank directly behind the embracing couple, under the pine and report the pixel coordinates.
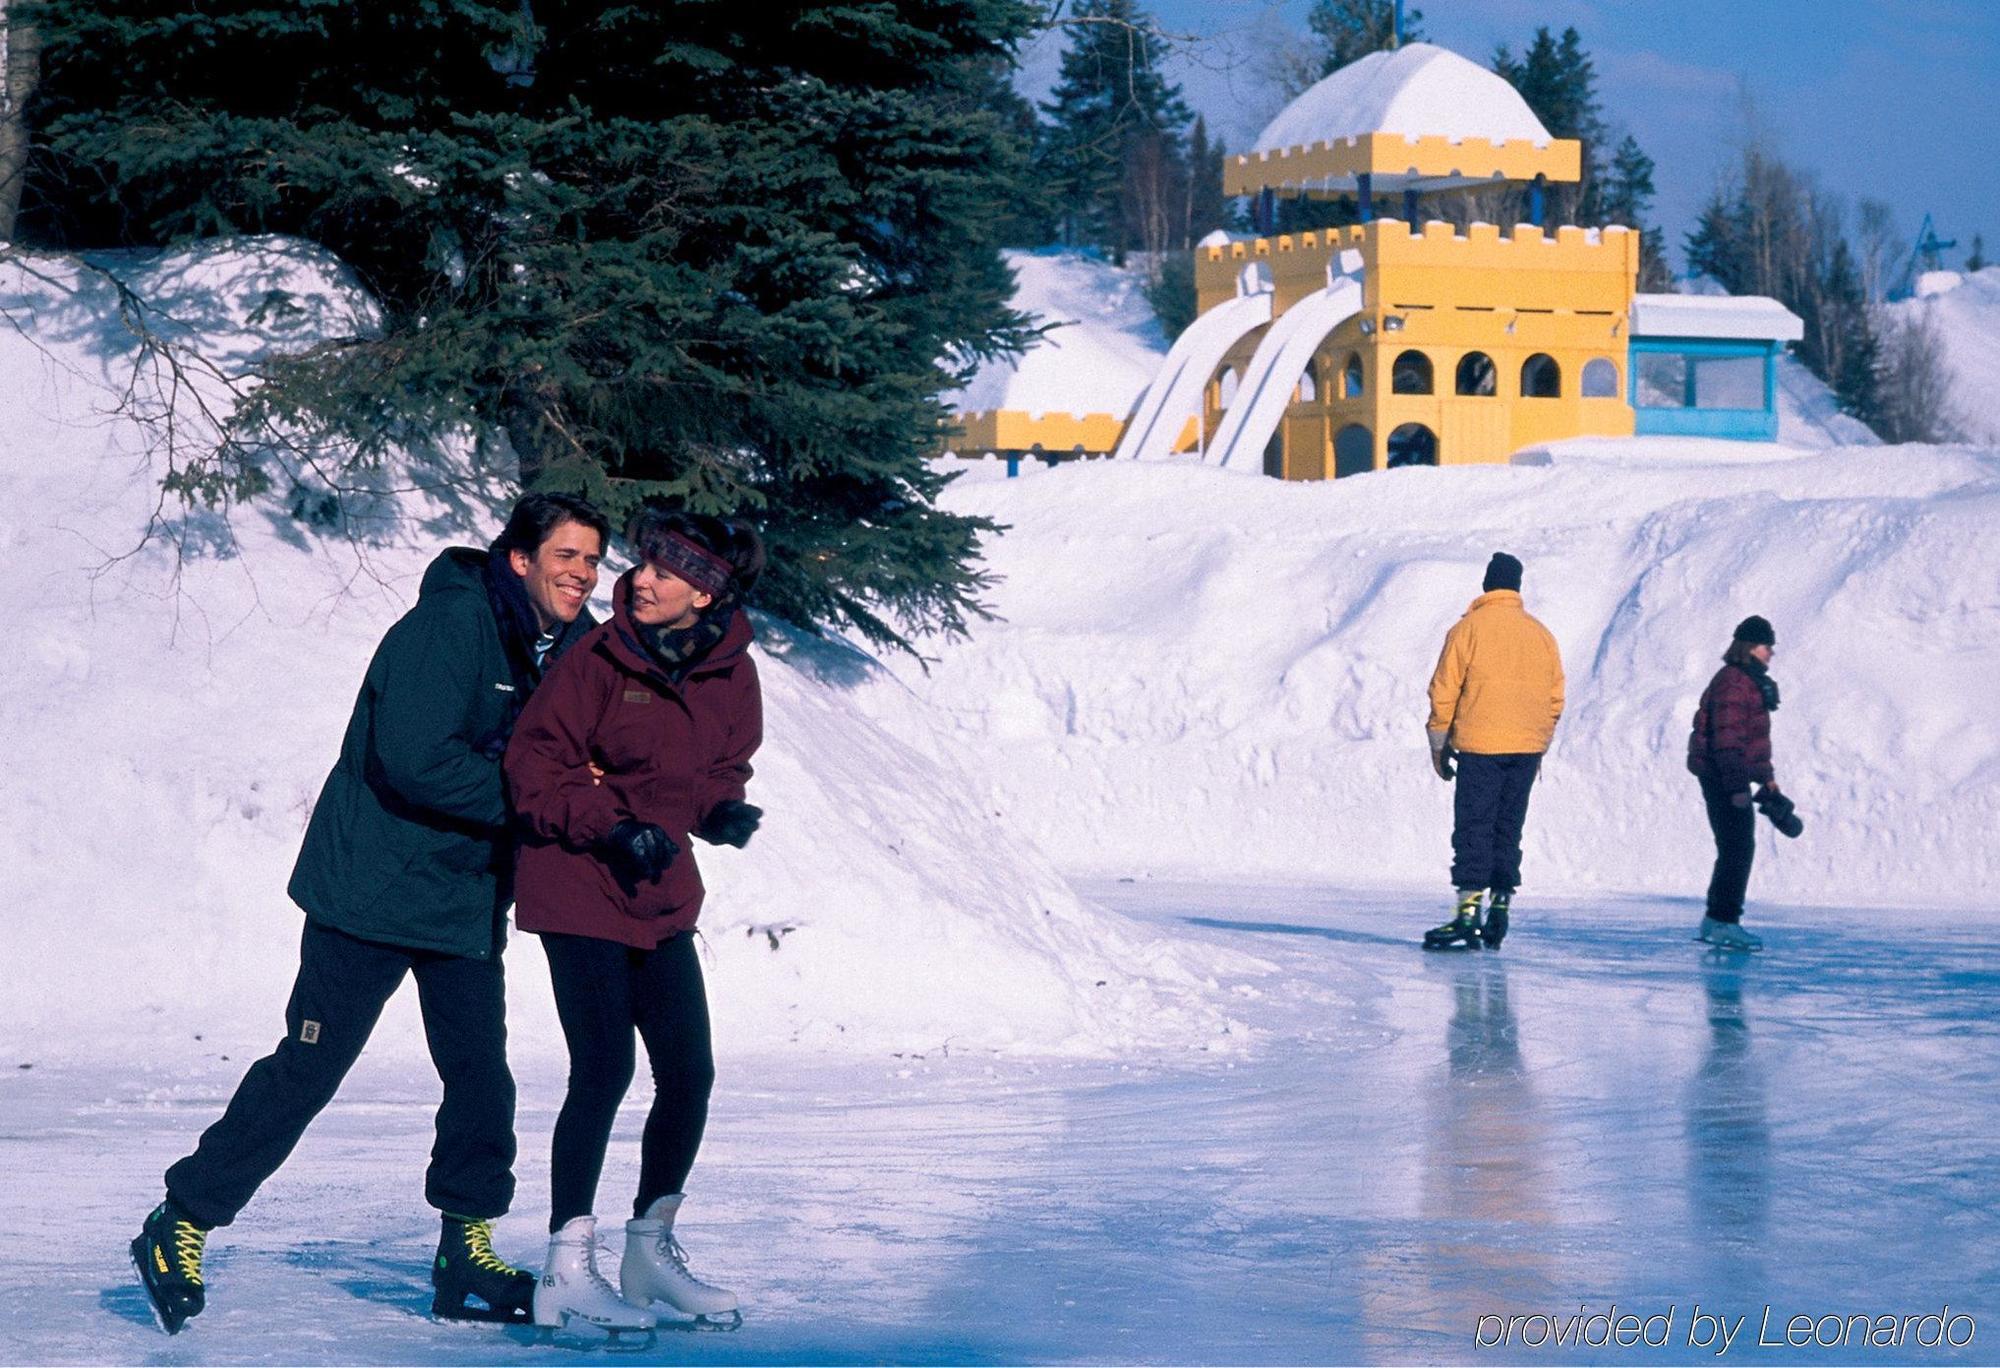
(175, 701)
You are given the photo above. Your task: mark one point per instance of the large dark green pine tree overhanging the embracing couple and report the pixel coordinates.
(695, 253)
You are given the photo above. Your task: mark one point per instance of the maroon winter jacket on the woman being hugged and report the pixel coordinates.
(669, 757)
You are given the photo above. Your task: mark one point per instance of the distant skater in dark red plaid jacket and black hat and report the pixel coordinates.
(1729, 751)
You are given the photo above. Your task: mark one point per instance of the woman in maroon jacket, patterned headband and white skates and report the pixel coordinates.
(635, 743)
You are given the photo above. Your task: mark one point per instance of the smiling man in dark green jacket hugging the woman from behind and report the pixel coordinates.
(407, 869)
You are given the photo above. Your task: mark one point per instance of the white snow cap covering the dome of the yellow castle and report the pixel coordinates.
(1417, 91)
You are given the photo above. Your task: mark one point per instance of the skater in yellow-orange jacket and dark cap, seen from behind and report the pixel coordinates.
(1495, 701)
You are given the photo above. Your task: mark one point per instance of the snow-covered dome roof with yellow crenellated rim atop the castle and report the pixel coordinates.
(1413, 119)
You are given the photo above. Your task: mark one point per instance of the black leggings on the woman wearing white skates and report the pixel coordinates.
(603, 991)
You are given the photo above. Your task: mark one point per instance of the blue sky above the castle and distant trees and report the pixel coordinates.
(1885, 99)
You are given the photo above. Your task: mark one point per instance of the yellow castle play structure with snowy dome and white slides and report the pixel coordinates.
(1399, 341)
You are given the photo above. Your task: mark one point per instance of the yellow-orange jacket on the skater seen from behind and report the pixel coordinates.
(1499, 683)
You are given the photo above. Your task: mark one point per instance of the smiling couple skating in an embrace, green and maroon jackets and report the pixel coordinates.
(505, 747)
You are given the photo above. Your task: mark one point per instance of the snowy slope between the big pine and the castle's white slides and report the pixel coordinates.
(1101, 351)
